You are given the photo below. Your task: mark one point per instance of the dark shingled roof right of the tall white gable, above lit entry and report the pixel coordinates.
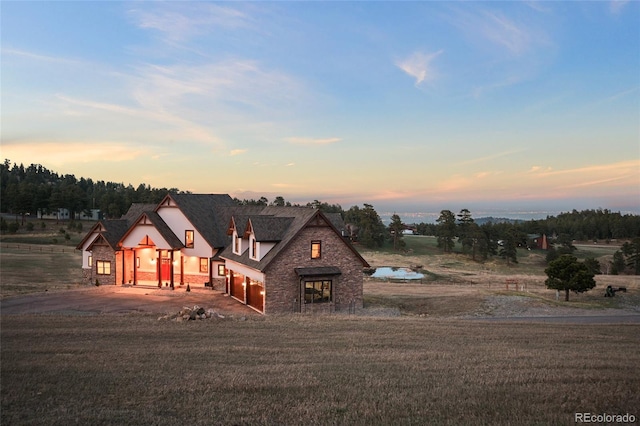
(200, 210)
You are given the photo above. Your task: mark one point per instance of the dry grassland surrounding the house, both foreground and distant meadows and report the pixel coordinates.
(418, 354)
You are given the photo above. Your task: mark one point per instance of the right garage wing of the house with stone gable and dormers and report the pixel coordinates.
(292, 259)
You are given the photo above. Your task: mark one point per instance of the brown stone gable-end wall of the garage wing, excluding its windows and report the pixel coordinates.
(284, 287)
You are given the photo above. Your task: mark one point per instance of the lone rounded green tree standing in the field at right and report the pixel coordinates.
(568, 274)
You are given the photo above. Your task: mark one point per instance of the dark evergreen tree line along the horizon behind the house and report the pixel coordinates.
(27, 190)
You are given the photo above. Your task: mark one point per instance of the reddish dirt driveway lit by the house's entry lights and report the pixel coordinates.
(116, 299)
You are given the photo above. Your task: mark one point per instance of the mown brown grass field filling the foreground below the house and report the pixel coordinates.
(312, 370)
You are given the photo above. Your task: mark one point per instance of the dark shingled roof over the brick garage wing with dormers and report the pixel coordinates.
(297, 218)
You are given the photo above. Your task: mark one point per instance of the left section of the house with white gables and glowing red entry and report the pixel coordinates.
(172, 243)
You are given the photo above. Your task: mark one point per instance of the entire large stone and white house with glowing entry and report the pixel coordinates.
(273, 259)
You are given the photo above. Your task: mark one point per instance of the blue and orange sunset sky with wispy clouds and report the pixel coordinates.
(408, 106)
